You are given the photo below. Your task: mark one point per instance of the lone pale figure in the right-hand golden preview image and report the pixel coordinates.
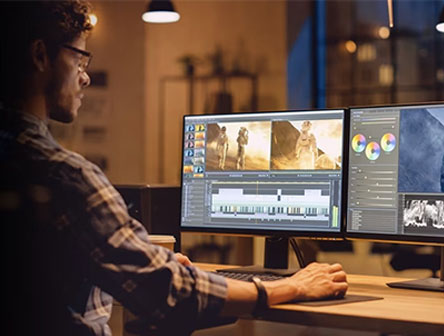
(306, 148)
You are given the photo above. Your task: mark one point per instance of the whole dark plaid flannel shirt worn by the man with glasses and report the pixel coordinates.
(93, 251)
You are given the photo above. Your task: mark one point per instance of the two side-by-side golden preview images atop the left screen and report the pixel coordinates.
(277, 145)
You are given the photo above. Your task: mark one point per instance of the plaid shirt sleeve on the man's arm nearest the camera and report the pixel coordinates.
(145, 278)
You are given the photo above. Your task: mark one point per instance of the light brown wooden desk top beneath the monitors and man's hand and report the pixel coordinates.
(402, 311)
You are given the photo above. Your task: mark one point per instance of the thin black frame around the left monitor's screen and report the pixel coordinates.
(339, 235)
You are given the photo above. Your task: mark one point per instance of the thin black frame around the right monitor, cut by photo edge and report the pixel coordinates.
(387, 238)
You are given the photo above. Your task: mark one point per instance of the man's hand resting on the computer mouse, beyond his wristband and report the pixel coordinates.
(317, 281)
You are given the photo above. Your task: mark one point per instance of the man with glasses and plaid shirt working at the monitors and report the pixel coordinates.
(75, 247)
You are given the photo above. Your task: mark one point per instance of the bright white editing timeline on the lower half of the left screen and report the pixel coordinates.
(306, 204)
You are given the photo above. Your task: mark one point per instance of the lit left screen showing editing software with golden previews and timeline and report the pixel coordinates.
(269, 171)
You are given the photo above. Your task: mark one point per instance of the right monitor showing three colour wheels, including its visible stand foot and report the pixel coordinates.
(396, 175)
